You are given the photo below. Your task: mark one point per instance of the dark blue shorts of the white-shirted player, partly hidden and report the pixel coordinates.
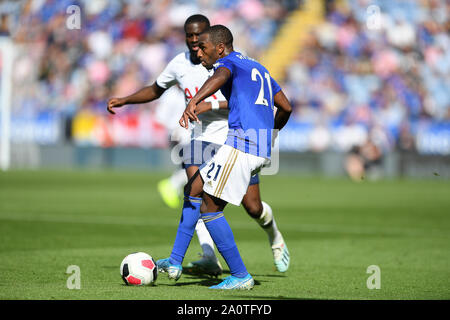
(198, 152)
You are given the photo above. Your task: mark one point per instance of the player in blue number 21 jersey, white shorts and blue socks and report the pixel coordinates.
(252, 94)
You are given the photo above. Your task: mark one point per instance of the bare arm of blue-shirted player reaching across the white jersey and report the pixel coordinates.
(217, 80)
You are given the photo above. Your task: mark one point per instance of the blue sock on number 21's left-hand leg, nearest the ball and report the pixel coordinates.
(186, 228)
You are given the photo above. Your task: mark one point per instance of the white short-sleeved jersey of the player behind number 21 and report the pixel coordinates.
(190, 78)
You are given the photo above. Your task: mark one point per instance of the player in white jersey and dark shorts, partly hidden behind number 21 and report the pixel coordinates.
(186, 71)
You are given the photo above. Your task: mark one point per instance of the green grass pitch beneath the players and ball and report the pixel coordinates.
(334, 228)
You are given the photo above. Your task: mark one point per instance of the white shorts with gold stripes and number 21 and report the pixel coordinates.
(227, 174)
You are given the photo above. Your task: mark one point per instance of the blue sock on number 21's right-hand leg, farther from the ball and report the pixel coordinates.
(222, 235)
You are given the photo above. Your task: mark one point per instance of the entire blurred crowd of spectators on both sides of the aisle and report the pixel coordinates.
(373, 71)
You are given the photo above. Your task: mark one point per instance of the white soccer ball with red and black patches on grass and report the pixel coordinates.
(138, 269)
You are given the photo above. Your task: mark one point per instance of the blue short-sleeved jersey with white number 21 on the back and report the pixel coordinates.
(249, 91)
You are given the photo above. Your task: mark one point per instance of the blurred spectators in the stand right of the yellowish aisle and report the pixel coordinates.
(374, 71)
